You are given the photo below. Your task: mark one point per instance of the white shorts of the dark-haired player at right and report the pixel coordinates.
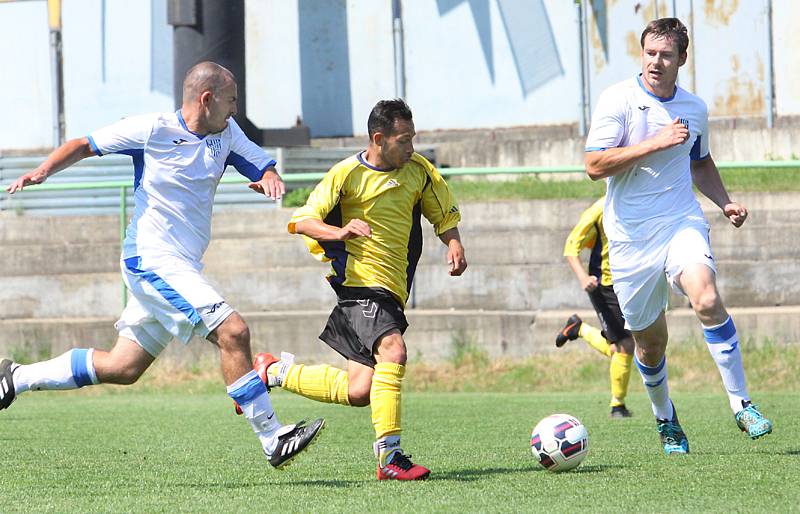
(643, 271)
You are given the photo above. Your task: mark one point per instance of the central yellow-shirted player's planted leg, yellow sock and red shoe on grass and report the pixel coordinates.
(393, 464)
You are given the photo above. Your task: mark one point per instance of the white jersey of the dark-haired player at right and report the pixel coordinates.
(657, 190)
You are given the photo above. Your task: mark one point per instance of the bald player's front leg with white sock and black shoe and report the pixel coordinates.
(280, 443)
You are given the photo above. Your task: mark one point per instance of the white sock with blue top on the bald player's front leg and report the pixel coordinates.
(252, 396)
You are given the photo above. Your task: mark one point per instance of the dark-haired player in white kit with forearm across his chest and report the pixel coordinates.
(649, 139)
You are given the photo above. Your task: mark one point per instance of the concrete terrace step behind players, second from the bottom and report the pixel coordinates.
(491, 287)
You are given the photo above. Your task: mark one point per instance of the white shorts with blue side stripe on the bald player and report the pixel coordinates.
(171, 299)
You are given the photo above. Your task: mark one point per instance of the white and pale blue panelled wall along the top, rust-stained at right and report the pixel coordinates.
(469, 64)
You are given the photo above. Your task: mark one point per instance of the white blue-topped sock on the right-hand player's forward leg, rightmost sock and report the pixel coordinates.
(723, 344)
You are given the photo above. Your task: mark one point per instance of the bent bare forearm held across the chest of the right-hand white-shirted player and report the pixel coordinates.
(611, 161)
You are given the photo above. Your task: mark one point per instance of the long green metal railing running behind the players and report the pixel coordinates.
(303, 177)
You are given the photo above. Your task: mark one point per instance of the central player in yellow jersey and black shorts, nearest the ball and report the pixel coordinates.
(364, 217)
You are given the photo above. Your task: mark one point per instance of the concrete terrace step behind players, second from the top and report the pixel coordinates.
(544, 246)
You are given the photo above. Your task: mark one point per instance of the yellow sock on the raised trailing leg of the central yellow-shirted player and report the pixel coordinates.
(321, 382)
